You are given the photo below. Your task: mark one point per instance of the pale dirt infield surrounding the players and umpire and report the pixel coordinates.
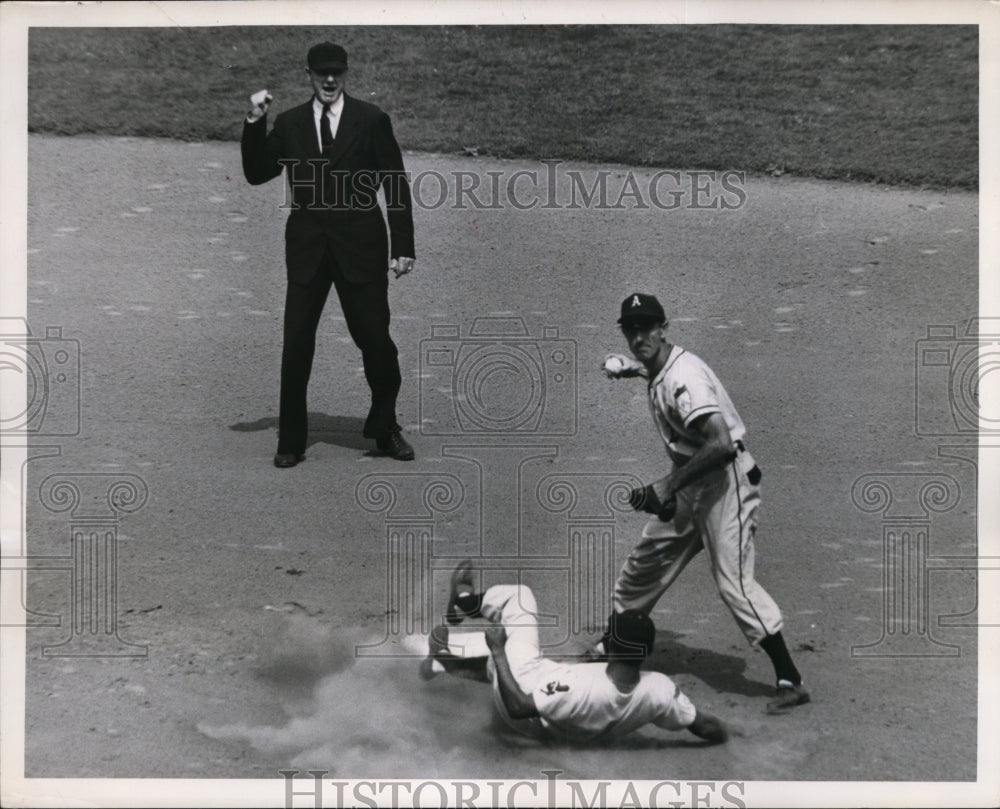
(251, 588)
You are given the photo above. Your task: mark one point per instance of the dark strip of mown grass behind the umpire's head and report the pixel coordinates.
(889, 104)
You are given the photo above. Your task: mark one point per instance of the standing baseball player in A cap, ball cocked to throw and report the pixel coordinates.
(710, 498)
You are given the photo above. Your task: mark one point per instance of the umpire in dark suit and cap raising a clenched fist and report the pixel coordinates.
(336, 152)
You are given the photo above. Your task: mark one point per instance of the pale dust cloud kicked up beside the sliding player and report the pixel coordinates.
(364, 716)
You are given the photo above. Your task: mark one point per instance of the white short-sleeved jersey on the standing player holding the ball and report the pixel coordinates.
(684, 389)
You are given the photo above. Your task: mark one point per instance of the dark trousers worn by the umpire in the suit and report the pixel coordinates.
(366, 310)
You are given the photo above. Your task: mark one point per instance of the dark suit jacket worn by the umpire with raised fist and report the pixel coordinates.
(334, 196)
